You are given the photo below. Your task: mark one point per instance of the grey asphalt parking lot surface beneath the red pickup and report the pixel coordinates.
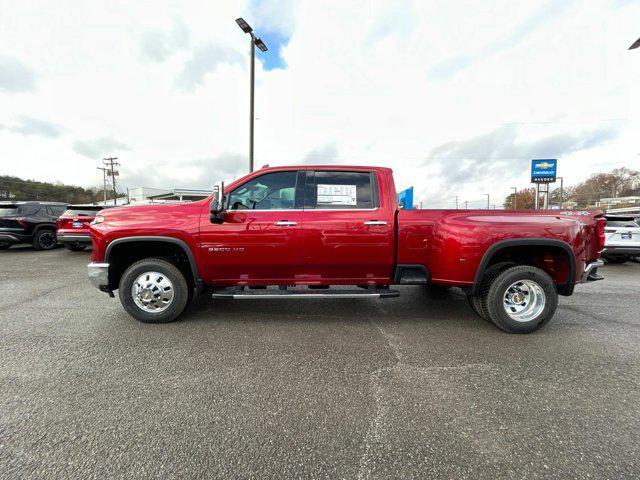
(415, 387)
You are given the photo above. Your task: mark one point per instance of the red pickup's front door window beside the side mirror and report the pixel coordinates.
(273, 191)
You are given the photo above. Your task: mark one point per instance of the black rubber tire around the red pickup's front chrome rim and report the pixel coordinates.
(172, 273)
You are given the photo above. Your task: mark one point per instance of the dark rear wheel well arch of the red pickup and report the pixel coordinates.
(555, 260)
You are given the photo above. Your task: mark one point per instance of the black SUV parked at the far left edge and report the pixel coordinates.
(29, 222)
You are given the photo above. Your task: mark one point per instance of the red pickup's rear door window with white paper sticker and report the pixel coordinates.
(341, 190)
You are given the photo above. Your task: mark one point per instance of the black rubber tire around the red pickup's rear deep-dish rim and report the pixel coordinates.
(494, 300)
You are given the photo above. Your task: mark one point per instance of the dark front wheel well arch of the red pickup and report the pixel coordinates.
(122, 255)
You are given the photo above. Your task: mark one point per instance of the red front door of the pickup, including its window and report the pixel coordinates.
(259, 242)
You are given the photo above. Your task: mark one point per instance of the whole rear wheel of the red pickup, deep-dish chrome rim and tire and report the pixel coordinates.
(521, 299)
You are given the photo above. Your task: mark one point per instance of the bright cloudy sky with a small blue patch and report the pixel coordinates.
(457, 96)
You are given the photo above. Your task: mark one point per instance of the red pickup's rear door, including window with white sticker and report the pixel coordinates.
(349, 231)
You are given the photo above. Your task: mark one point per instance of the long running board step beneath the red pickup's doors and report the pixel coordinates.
(282, 294)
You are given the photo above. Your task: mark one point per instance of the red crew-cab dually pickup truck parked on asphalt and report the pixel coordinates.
(294, 232)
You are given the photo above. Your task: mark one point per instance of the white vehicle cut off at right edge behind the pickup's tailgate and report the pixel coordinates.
(622, 239)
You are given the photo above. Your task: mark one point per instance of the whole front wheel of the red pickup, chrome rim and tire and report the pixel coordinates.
(153, 290)
